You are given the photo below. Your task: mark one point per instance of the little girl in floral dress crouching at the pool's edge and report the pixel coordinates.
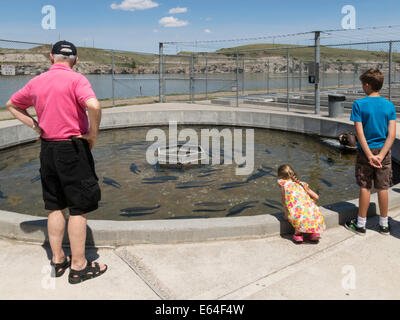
(299, 204)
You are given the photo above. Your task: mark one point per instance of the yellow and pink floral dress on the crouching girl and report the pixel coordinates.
(304, 215)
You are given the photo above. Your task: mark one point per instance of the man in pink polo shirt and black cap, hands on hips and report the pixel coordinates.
(61, 97)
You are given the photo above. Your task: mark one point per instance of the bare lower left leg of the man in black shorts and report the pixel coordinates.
(56, 229)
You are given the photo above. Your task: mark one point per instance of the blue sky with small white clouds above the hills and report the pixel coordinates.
(139, 25)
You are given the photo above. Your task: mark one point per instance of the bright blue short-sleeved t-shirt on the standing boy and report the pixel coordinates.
(374, 113)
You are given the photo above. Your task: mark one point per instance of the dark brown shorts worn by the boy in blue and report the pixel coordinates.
(366, 174)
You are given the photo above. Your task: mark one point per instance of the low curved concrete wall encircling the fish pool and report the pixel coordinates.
(117, 233)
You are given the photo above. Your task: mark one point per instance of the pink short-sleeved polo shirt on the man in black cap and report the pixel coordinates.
(59, 97)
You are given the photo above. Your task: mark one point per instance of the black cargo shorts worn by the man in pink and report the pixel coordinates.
(68, 176)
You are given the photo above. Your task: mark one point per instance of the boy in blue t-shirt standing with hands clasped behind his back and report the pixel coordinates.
(375, 123)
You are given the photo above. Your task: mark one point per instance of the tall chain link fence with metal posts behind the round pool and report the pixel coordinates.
(281, 75)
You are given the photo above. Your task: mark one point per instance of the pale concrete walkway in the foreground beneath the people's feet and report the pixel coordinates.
(342, 266)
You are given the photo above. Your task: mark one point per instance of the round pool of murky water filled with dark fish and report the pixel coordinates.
(134, 189)
